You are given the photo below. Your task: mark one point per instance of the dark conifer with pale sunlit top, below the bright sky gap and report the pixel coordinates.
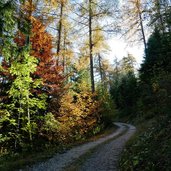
(124, 89)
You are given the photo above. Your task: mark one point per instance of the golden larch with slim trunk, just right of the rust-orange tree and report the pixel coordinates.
(62, 27)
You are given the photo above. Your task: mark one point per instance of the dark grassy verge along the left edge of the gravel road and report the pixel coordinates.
(16, 161)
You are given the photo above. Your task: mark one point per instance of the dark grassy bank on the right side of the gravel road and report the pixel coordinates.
(150, 148)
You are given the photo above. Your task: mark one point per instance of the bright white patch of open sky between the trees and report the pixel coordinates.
(120, 48)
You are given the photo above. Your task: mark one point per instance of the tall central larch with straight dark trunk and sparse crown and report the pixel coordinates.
(93, 16)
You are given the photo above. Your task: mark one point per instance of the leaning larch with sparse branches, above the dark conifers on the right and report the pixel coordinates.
(134, 16)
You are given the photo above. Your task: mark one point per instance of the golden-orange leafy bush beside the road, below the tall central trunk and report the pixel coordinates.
(79, 113)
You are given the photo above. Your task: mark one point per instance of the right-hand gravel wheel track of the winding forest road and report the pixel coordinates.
(106, 157)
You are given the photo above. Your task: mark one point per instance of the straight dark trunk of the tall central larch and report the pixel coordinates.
(91, 47)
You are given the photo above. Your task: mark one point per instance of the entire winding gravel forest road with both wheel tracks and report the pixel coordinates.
(106, 152)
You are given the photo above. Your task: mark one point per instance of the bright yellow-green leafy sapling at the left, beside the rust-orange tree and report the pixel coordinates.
(21, 117)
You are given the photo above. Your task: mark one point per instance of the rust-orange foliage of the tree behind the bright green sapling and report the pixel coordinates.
(41, 45)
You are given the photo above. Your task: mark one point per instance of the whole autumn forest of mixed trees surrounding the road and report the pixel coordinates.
(57, 87)
